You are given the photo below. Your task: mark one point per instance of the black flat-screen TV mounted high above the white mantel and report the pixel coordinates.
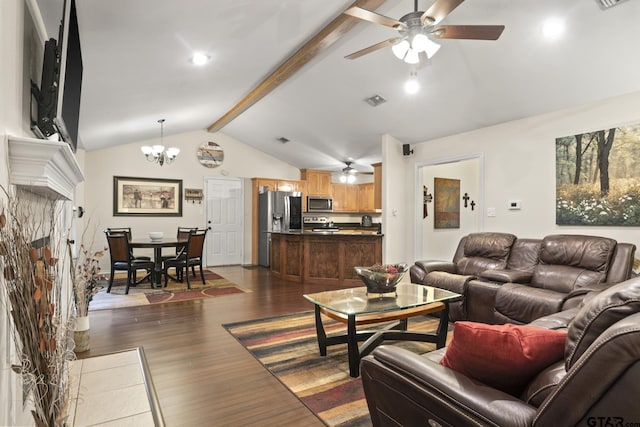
(70, 77)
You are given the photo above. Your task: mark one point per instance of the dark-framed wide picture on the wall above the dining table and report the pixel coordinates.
(146, 196)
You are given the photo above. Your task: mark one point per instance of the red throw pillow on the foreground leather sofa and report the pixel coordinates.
(506, 357)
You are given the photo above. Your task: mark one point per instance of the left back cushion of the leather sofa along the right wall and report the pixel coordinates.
(484, 251)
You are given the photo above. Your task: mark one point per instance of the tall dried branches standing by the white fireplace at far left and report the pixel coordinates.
(31, 289)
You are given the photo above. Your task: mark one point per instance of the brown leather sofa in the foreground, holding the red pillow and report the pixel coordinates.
(598, 377)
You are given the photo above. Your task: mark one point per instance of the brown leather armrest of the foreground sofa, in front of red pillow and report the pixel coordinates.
(410, 389)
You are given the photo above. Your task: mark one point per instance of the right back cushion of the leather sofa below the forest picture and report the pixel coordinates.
(567, 262)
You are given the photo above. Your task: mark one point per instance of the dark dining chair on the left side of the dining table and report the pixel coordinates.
(119, 251)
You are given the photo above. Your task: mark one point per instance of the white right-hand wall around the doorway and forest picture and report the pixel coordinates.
(519, 163)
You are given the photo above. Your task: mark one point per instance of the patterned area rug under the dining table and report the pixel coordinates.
(144, 294)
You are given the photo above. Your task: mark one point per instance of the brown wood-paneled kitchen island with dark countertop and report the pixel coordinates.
(324, 257)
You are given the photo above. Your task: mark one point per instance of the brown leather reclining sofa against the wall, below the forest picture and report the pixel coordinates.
(504, 279)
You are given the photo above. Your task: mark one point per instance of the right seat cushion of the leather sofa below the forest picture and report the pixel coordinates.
(524, 304)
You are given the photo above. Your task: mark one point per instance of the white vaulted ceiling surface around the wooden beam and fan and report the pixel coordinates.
(137, 70)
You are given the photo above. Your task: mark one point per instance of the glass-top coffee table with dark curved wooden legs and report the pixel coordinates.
(354, 307)
